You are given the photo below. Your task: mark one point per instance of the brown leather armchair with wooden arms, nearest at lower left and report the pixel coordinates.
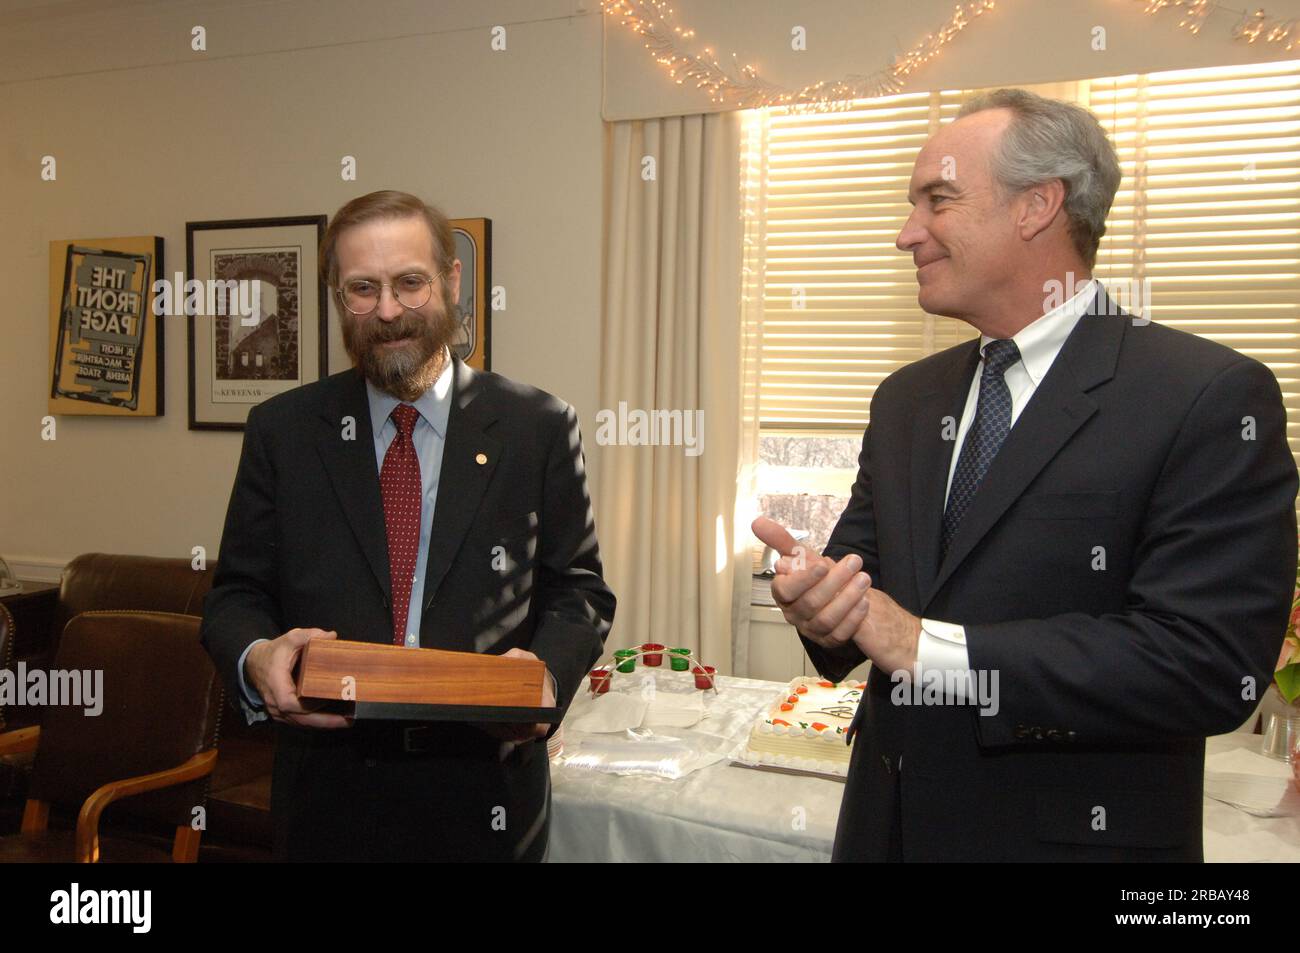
(151, 746)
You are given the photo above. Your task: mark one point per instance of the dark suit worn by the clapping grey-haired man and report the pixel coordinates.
(1167, 452)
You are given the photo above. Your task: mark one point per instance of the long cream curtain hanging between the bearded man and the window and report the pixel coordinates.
(673, 343)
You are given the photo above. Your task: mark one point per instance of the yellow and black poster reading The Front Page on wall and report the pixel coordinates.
(106, 339)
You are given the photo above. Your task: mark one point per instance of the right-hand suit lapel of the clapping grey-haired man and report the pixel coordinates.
(1055, 413)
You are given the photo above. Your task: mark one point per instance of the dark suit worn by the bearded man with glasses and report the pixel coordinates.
(305, 547)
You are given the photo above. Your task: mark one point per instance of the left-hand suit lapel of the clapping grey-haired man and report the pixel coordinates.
(931, 457)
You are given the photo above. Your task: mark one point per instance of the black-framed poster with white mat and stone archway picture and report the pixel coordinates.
(258, 314)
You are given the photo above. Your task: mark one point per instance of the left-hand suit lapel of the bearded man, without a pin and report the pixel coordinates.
(350, 465)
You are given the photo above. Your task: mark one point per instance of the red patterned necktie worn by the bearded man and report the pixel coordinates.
(404, 493)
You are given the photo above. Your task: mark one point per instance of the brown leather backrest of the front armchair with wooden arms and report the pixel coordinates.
(162, 704)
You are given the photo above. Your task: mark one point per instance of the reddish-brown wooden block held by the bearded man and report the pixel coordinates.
(370, 674)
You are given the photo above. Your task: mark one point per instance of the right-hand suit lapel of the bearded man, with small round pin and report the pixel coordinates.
(469, 461)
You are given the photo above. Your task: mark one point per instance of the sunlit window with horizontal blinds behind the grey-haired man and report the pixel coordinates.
(1204, 233)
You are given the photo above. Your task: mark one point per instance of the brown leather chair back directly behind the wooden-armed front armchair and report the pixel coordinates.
(97, 582)
